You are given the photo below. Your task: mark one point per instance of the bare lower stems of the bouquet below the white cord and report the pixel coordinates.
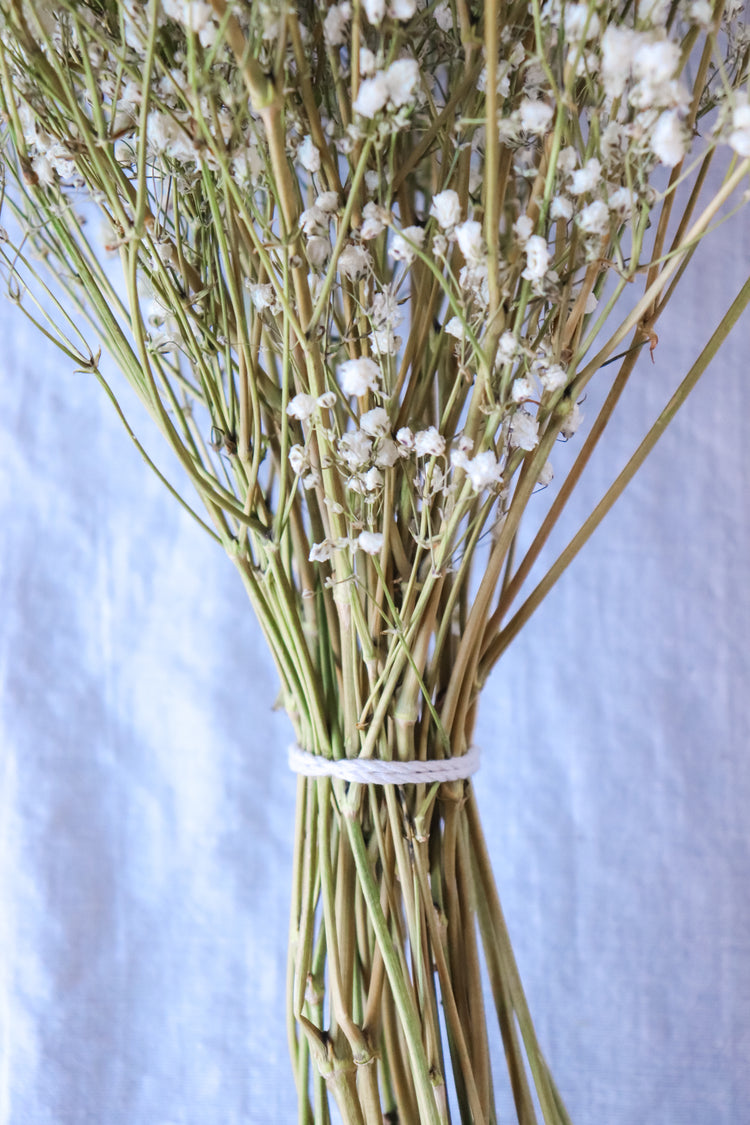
(395, 908)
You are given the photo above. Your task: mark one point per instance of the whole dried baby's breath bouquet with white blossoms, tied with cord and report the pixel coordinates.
(373, 254)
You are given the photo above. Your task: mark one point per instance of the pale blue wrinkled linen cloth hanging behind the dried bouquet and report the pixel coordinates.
(147, 808)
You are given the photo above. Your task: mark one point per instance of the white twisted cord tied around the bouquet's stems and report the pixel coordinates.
(375, 772)
